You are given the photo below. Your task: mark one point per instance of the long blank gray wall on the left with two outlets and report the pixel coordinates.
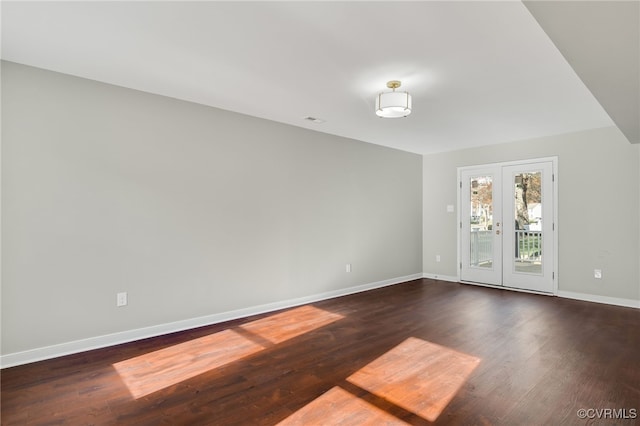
(190, 209)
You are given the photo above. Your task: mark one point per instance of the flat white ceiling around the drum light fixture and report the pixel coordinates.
(479, 72)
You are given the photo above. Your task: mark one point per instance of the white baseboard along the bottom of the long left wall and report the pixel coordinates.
(68, 348)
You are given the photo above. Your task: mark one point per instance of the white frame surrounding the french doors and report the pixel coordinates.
(554, 161)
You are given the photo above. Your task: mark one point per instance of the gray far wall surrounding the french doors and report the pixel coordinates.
(598, 207)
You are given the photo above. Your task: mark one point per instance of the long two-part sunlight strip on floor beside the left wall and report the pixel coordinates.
(157, 370)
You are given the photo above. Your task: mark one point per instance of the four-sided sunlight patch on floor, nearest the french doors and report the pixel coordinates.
(417, 375)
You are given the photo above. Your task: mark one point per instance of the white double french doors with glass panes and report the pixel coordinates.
(507, 225)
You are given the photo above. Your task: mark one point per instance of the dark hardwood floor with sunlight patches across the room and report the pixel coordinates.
(421, 352)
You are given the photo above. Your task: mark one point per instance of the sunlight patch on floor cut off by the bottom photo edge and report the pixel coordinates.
(339, 407)
